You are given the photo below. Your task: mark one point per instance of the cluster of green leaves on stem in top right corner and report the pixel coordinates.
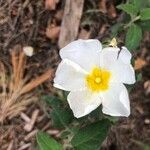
(139, 13)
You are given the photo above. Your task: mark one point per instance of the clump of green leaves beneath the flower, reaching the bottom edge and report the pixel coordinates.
(86, 133)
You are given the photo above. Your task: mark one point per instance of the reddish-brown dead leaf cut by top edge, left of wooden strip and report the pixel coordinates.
(51, 4)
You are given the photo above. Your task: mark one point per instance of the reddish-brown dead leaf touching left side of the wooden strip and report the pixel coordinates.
(52, 32)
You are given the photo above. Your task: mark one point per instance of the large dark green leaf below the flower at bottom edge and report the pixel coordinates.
(91, 136)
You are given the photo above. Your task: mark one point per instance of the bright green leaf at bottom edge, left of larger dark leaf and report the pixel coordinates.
(46, 142)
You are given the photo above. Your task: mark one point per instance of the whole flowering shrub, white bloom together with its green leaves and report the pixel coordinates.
(93, 79)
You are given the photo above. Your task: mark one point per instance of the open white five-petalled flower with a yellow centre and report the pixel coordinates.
(95, 76)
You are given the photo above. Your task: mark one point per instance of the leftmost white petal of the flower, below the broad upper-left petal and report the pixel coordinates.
(69, 76)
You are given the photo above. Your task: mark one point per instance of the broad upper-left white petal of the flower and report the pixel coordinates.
(83, 52)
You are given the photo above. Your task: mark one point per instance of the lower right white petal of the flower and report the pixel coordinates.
(116, 101)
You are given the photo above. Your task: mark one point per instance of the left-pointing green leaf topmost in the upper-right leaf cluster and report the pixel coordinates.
(128, 8)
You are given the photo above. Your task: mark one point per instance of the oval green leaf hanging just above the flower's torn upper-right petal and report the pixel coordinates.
(133, 37)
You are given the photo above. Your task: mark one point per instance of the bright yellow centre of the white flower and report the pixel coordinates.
(98, 79)
